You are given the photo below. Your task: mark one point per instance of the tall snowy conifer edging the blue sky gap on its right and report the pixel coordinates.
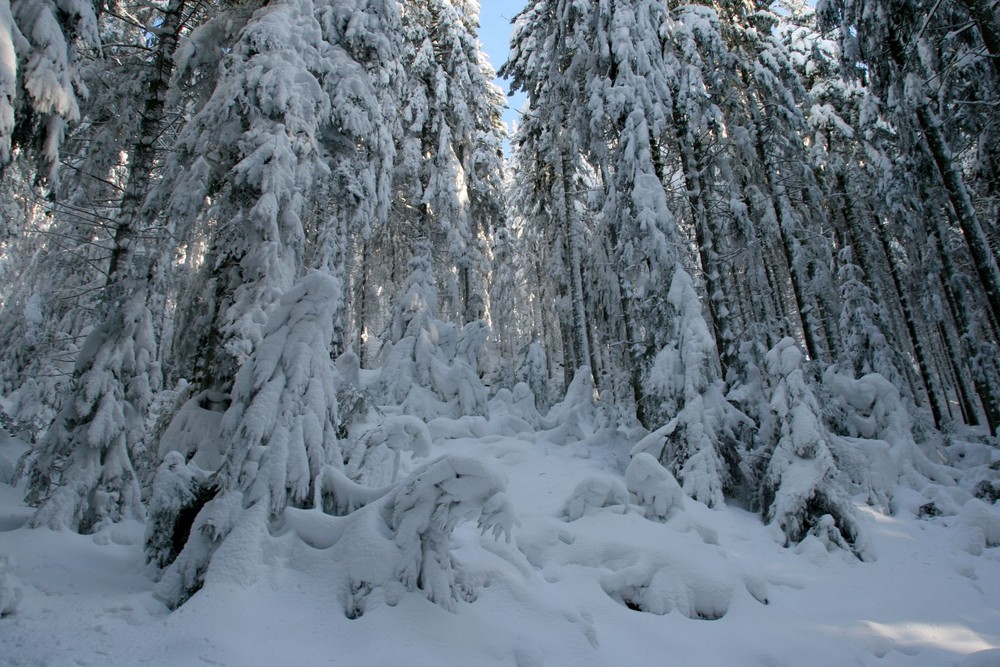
(547, 62)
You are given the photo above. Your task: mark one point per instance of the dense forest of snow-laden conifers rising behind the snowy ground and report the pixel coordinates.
(249, 250)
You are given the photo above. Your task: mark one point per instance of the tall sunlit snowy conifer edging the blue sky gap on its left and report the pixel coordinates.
(450, 158)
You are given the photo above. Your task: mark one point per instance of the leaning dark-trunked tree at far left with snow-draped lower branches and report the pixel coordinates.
(79, 485)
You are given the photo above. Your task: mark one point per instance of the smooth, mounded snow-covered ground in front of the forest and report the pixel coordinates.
(705, 587)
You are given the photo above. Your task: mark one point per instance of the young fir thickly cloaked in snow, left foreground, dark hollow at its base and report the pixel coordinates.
(277, 435)
